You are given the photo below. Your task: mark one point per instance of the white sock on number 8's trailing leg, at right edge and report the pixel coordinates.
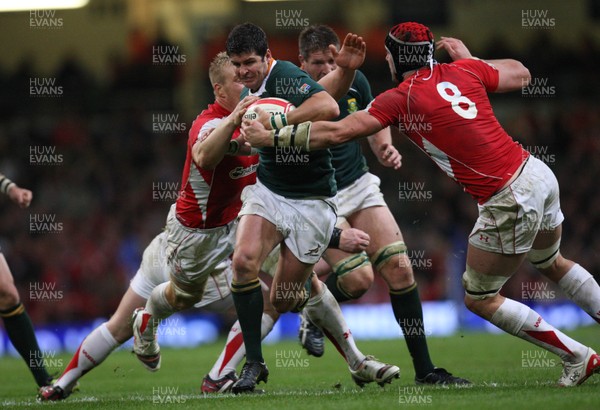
(579, 285)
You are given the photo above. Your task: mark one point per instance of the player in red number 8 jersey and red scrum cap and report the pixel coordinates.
(517, 194)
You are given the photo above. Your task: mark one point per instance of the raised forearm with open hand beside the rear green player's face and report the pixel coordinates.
(348, 60)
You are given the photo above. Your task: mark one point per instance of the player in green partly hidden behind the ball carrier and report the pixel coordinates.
(361, 205)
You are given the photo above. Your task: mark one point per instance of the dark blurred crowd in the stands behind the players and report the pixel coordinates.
(116, 146)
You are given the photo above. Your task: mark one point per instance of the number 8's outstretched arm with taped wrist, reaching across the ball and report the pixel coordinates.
(311, 136)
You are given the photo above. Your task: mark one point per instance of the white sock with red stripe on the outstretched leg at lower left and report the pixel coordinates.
(93, 350)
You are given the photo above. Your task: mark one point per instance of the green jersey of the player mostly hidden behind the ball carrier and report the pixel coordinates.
(348, 160)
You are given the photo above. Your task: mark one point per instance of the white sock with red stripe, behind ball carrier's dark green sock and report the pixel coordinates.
(235, 350)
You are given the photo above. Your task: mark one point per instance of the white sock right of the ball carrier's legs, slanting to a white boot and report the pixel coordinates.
(324, 311)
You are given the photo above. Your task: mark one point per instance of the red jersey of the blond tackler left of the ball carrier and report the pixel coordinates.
(211, 198)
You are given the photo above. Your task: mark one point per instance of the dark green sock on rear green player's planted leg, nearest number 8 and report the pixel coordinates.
(409, 315)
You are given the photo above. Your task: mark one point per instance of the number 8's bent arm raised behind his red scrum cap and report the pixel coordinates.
(513, 75)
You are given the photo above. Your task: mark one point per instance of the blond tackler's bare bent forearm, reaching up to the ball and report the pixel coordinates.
(213, 144)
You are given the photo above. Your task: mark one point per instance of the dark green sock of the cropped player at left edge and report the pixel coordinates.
(21, 334)
